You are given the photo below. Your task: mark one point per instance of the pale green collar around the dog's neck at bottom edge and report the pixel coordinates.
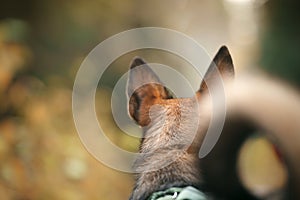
(176, 193)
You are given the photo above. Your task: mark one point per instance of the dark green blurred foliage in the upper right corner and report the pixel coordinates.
(281, 40)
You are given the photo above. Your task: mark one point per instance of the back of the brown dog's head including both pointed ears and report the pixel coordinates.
(151, 103)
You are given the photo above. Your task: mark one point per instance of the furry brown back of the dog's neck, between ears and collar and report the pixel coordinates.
(164, 161)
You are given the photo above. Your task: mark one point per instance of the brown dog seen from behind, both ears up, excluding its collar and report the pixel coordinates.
(168, 125)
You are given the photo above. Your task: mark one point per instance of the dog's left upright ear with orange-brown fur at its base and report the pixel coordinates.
(144, 89)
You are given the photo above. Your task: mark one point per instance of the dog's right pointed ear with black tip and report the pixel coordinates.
(221, 62)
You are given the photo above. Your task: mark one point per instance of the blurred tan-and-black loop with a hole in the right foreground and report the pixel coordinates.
(247, 116)
